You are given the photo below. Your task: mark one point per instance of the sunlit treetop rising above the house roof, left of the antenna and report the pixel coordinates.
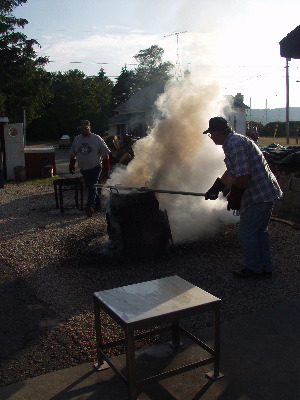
(151, 69)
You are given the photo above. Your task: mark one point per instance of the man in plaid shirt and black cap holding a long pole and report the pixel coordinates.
(254, 189)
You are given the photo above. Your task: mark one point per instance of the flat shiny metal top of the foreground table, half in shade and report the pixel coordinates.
(172, 297)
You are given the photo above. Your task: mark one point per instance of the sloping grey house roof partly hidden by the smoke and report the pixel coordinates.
(144, 98)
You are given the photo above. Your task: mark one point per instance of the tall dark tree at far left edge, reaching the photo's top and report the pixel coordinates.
(24, 84)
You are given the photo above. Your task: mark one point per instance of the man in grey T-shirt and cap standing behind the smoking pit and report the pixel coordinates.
(92, 155)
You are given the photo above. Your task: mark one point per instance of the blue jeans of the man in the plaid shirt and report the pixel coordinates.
(254, 236)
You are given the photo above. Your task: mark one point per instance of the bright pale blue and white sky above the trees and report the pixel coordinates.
(235, 42)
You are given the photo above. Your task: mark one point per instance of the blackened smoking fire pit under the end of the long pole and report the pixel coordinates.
(136, 223)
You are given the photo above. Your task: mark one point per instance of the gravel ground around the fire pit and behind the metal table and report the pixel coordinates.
(52, 263)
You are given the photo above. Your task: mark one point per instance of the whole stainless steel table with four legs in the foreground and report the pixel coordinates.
(149, 305)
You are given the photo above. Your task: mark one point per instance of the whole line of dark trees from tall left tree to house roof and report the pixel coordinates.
(54, 102)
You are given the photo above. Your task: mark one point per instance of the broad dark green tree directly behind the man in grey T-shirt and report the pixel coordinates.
(75, 97)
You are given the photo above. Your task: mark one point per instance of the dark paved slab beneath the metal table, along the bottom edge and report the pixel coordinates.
(260, 360)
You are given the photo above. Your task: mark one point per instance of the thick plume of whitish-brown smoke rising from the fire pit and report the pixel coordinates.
(177, 156)
